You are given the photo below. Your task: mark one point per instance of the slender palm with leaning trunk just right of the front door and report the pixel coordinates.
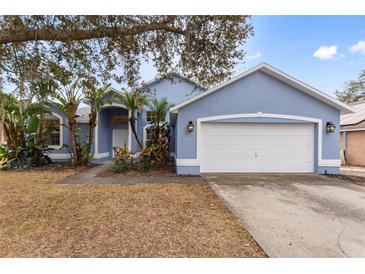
(133, 101)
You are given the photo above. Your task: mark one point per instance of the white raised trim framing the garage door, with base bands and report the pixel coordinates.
(196, 162)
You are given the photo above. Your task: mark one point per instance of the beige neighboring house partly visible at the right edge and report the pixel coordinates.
(353, 135)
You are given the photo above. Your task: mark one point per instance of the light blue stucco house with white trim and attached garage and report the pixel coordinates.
(262, 120)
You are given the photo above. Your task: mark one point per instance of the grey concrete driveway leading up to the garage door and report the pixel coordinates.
(297, 215)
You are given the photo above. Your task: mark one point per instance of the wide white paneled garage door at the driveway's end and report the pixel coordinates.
(256, 147)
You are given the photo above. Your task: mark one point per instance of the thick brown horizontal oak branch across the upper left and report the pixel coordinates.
(46, 34)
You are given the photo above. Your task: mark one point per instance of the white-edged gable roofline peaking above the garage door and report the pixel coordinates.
(321, 96)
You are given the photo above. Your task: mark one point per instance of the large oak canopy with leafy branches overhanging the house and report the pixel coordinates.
(202, 48)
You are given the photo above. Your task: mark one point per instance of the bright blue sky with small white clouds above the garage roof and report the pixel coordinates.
(289, 43)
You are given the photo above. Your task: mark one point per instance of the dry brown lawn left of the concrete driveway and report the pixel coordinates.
(39, 218)
